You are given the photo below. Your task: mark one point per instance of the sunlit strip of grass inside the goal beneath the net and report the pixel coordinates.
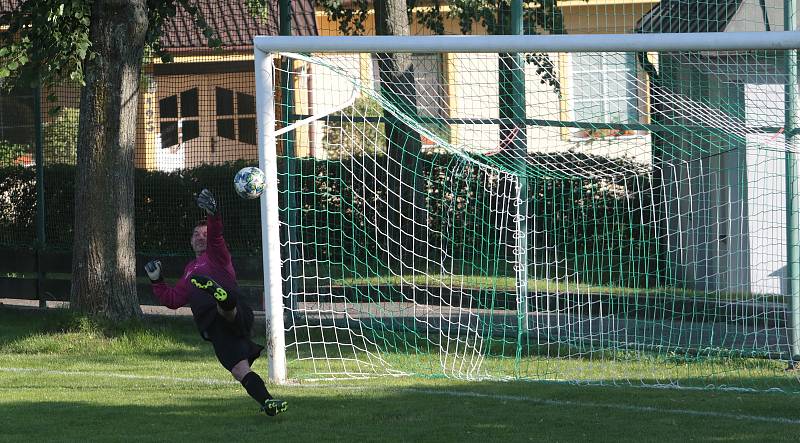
(315, 352)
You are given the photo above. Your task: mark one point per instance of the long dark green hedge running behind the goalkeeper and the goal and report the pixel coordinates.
(595, 226)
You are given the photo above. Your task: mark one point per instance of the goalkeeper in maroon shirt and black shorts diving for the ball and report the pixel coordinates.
(209, 286)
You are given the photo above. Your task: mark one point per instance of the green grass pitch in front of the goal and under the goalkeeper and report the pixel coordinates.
(66, 378)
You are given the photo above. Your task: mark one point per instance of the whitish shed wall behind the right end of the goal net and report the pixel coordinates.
(725, 192)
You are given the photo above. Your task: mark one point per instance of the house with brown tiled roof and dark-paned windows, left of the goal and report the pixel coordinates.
(201, 107)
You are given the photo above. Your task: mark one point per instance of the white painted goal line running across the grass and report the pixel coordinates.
(516, 398)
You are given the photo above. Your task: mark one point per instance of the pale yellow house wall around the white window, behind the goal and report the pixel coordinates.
(472, 88)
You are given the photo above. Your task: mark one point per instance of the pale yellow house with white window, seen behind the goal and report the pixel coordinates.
(607, 88)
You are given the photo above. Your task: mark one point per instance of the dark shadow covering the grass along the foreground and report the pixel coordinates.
(412, 413)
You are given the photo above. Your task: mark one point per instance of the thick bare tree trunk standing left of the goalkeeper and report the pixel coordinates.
(103, 255)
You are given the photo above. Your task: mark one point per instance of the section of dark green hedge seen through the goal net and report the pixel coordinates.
(599, 227)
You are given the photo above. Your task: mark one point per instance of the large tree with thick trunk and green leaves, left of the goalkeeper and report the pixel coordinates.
(99, 44)
